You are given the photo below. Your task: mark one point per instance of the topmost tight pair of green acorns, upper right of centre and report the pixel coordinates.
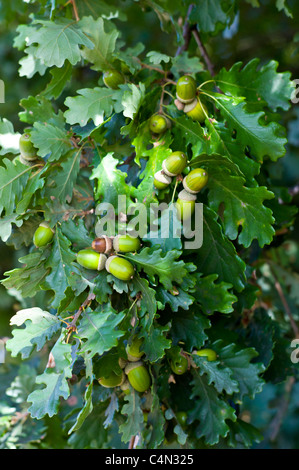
(188, 99)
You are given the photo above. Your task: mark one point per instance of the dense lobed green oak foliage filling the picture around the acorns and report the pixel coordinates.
(236, 295)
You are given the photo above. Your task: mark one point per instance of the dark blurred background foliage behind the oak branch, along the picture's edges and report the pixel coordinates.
(262, 32)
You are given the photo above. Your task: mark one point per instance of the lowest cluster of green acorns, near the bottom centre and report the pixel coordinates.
(133, 372)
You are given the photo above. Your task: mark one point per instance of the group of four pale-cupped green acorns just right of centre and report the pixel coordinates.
(193, 182)
